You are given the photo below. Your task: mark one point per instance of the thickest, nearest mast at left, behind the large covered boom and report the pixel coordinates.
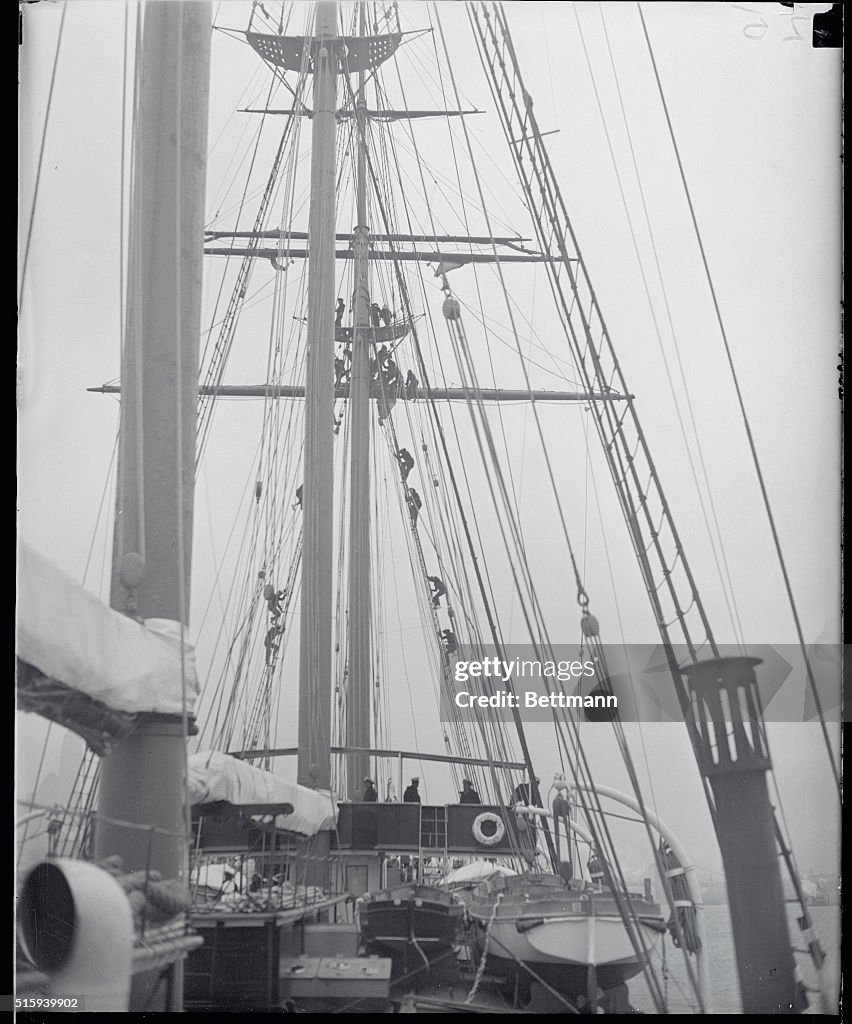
(142, 781)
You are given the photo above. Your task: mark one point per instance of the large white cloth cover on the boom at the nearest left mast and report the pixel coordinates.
(71, 636)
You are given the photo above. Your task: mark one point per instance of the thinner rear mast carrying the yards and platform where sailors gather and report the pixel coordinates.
(359, 661)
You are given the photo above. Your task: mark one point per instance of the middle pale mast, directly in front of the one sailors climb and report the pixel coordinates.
(318, 498)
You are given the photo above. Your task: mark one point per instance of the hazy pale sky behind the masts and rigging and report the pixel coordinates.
(757, 118)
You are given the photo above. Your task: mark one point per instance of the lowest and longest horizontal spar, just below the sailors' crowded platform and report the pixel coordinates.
(450, 394)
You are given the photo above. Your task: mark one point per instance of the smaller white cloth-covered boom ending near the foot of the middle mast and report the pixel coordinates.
(216, 777)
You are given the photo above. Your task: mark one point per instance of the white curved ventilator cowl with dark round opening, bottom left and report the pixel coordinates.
(77, 927)
